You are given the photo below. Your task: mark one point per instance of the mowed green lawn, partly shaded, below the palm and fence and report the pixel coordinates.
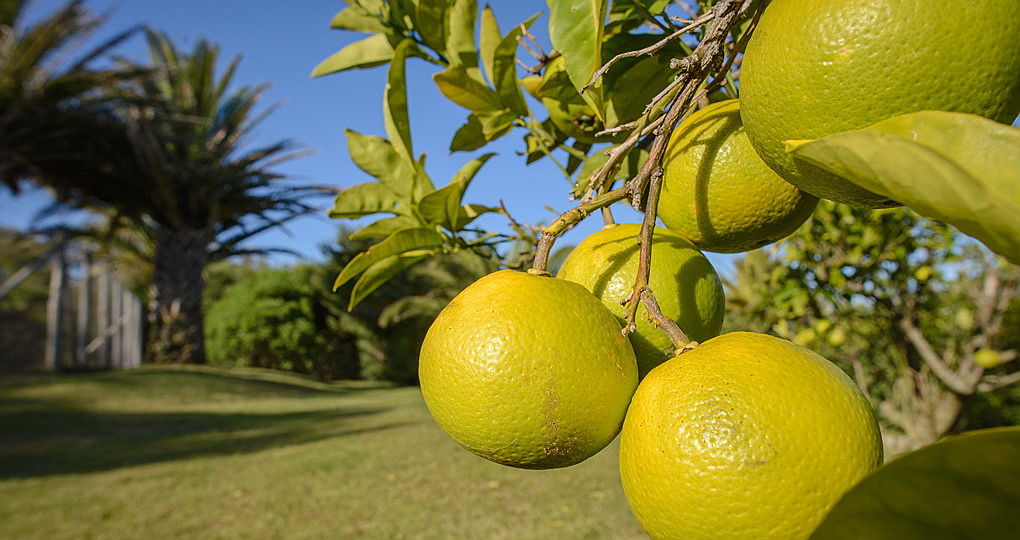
(163, 453)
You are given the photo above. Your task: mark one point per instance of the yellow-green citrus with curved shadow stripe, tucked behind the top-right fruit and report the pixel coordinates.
(719, 194)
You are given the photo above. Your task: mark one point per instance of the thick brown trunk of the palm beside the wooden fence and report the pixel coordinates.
(177, 300)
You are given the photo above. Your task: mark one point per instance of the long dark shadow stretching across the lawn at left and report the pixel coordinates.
(60, 434)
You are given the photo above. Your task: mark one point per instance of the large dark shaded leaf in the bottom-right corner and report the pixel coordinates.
(963, 487)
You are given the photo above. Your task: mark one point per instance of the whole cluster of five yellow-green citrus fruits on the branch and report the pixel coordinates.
(745, 435)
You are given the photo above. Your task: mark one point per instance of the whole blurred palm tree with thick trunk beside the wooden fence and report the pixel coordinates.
(170, 159)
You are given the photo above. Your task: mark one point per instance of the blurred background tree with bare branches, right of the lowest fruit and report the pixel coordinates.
(913, 311)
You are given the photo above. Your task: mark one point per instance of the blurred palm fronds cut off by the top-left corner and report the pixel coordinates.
(43, 97)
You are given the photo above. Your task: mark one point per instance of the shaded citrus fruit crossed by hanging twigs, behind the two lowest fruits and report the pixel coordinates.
(685, 284)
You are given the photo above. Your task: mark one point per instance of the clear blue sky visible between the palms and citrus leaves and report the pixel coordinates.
(281, 42)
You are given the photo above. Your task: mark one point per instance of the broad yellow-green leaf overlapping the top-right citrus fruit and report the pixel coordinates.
(958, 169)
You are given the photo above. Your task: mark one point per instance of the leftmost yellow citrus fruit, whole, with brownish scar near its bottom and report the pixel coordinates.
(528, 371)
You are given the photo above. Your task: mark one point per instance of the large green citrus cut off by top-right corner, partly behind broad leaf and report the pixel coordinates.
(824, 67)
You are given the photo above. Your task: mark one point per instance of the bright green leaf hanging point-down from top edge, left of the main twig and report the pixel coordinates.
(576, 28)
